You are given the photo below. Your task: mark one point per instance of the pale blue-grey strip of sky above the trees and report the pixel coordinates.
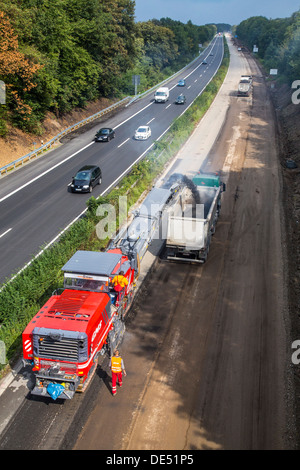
(201, 12)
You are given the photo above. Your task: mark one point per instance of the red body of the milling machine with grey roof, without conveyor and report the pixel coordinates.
(65, 337)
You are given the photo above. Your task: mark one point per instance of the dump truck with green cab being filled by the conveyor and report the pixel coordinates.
(193, 220)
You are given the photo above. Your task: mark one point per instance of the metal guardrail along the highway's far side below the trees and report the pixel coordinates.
(27, 158)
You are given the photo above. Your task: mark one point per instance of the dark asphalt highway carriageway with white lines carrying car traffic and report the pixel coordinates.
(35, 205)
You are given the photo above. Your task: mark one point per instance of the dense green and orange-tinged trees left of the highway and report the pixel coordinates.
(56, 55)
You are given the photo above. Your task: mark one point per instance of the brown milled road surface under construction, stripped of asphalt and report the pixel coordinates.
(205, 345)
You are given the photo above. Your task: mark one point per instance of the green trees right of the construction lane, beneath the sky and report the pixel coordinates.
(278, 42)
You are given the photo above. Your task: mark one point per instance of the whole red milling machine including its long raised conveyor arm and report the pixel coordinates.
(86, 318)
